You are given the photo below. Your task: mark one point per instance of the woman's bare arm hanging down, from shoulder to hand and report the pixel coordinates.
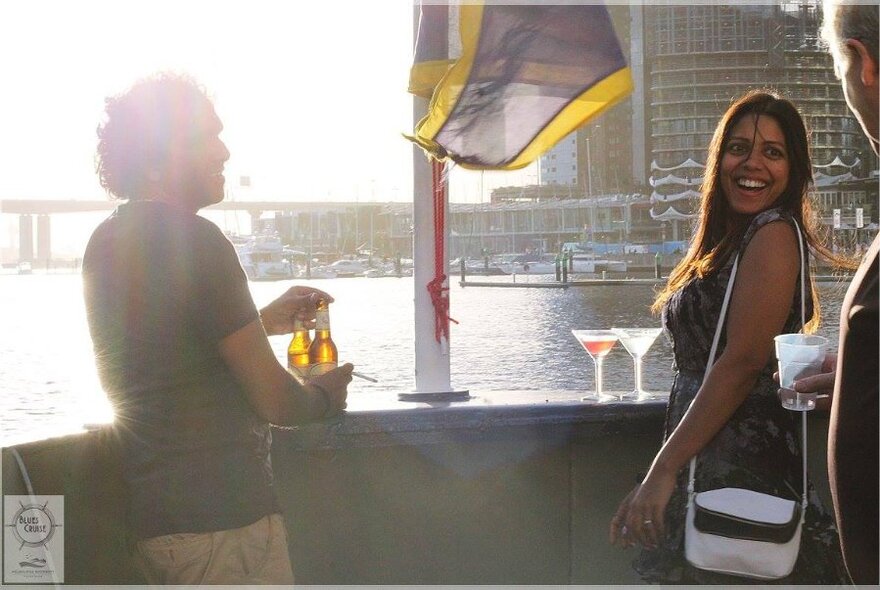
(762, 295)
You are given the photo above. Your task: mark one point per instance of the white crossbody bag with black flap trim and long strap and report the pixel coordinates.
(742, 532)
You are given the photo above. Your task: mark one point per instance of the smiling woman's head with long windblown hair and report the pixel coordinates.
(759, 158)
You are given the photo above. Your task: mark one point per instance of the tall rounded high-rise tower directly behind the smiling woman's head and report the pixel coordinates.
(699, 57)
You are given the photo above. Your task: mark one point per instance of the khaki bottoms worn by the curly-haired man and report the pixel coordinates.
(255, 554)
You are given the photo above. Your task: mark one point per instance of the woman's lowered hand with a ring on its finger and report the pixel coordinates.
(647, 506)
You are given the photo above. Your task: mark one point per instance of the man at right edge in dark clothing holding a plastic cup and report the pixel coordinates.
(851, 30)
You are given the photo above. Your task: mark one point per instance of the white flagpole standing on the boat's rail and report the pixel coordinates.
(431, 357)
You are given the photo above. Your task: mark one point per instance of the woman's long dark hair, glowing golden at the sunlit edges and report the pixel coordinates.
(720, 229)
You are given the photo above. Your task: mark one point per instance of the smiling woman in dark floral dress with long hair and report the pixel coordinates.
(724, 410)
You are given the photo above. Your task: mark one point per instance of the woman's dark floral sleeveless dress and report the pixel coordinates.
(759, 448)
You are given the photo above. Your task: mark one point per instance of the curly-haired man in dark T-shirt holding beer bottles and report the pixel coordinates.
(182, 350)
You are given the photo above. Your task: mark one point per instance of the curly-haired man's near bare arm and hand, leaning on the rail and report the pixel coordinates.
(273, 392)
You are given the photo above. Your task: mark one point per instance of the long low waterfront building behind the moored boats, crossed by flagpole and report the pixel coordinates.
(612, 223)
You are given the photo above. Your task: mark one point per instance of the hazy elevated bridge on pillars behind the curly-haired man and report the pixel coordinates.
(43, 209)
